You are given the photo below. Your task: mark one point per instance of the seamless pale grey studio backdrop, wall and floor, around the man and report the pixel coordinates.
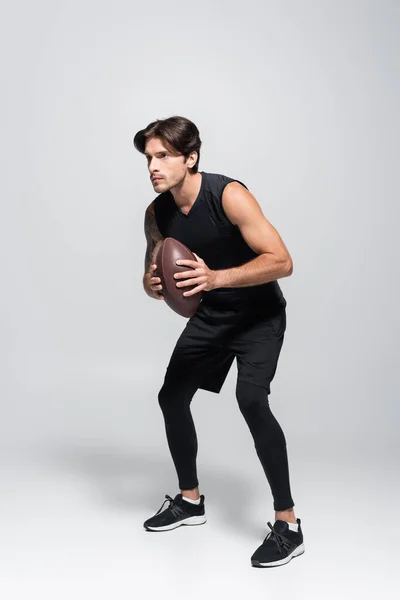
(299, 100)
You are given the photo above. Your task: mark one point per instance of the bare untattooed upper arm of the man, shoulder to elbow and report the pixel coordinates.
(243, 210)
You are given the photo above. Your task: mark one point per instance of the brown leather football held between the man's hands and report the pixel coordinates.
(169, 252)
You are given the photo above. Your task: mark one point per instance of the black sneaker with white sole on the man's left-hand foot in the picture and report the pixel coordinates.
(179, 512)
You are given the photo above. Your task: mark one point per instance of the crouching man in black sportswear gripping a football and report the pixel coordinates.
(242, 315)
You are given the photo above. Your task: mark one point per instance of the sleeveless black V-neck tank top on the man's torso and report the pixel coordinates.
(207, 231)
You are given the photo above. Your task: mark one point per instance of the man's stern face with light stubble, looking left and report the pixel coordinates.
(166, 166)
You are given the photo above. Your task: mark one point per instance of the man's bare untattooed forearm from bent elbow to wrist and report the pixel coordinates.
(262, 269)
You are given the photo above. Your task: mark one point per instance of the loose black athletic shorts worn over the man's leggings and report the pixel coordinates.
(214, 336)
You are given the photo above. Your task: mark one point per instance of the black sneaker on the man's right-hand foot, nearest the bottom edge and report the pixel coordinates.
(280, 546)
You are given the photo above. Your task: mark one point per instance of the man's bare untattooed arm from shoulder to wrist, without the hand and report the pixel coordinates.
(274, 260)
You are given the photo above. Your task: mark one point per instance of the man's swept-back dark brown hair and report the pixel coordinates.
(179, 132)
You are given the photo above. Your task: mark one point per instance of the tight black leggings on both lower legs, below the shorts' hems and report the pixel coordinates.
(269, 440)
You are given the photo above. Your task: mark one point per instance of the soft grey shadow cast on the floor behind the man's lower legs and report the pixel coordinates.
(131, 479)
